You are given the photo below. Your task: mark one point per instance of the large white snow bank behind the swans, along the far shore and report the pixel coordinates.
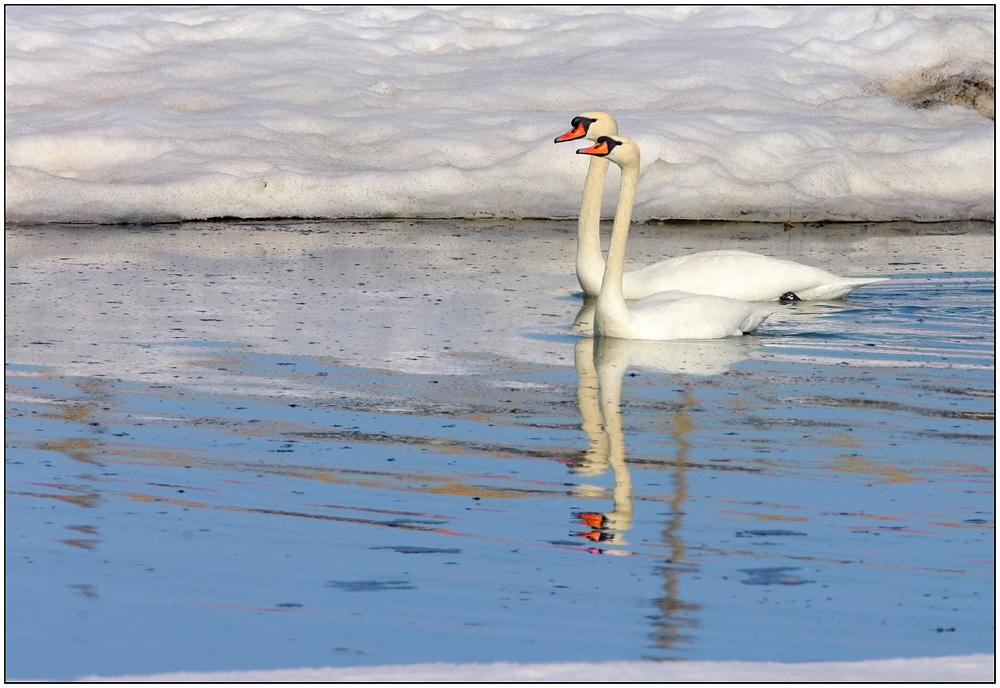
(769, 113)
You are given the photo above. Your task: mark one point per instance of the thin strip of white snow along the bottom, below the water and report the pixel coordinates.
(961, 669)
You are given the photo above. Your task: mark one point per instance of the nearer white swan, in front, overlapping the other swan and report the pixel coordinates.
(671, 314)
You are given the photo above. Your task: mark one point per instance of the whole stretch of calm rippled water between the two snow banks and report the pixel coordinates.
(297, 445)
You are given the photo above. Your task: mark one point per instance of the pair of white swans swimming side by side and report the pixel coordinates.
(702, 296)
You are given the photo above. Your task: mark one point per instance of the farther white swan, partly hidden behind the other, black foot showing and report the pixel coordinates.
(736, 274)
